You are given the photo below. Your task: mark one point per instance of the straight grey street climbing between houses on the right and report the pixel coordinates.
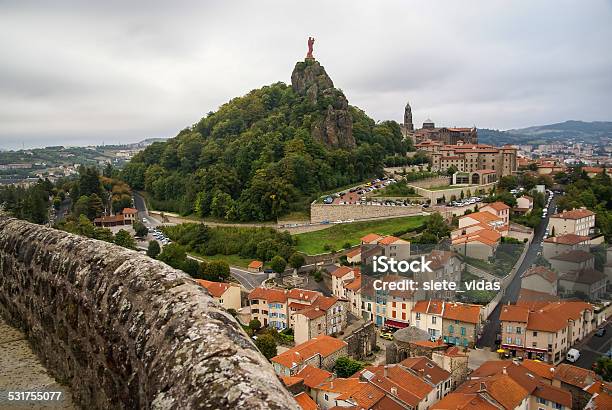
(511, 293)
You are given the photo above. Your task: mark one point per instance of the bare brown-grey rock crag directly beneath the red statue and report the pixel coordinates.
(335, 128)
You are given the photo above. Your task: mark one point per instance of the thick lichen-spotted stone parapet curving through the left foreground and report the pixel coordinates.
(125, 331)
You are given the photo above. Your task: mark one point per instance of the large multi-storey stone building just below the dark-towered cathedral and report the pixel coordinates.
(470, 158)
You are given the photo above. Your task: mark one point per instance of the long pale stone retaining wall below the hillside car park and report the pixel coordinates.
(334, 212)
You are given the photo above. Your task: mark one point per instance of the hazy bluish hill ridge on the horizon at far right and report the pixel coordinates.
(589, 132)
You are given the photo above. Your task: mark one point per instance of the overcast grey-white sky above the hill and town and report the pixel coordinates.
(121, 71)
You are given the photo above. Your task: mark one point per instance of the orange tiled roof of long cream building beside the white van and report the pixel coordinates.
(549, 317)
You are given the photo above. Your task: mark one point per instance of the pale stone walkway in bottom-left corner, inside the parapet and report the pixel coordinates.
(22, 371)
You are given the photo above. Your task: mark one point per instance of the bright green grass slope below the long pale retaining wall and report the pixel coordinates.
(312, 243)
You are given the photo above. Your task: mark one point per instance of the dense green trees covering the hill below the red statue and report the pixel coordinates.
(256, 157)
